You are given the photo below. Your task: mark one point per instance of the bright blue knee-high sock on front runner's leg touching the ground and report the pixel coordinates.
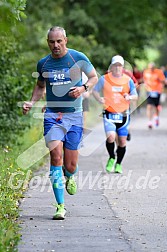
(57, 183)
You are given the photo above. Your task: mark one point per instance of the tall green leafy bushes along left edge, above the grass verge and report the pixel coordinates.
(12, 75)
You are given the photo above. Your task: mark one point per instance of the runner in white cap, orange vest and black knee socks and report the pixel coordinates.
(115, 90)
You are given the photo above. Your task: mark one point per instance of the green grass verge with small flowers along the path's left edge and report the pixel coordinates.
(13, 182)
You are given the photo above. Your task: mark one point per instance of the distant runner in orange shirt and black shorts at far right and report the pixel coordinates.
(153, 79)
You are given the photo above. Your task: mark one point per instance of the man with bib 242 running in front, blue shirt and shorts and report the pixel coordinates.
(60, 73)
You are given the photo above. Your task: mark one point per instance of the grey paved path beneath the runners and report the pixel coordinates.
(110, 212)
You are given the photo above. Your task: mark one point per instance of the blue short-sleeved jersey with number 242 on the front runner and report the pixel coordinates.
(61, 74)
